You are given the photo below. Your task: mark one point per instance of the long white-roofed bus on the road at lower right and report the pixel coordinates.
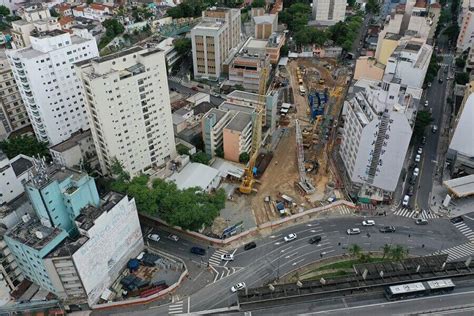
(411, 290)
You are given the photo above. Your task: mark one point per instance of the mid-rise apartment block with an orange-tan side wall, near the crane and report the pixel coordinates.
(237, 136)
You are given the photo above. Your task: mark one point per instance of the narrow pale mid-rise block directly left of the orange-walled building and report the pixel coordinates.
(213, 123)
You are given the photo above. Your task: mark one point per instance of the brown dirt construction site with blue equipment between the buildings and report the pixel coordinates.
(298, 173)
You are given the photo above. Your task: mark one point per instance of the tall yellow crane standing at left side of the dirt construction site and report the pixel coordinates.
(248, 180)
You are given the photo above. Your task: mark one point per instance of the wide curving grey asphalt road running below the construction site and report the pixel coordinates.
(273, 257)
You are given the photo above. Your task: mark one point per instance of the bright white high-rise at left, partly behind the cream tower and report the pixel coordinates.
(49, 85)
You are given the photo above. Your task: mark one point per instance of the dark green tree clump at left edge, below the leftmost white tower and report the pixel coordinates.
(26, 145)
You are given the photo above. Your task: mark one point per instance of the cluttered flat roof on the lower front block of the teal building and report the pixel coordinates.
(28, 233)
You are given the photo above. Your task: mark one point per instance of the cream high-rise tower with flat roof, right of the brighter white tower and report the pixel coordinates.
(129, 109)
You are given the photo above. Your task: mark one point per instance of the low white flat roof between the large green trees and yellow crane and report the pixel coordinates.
(194, 175)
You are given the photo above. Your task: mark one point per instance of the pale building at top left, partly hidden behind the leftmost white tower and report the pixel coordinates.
(35, 16)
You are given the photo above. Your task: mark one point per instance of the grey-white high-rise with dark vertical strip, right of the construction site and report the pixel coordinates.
(378, 126)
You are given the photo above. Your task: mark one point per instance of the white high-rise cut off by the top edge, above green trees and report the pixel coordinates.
(329, 12)
